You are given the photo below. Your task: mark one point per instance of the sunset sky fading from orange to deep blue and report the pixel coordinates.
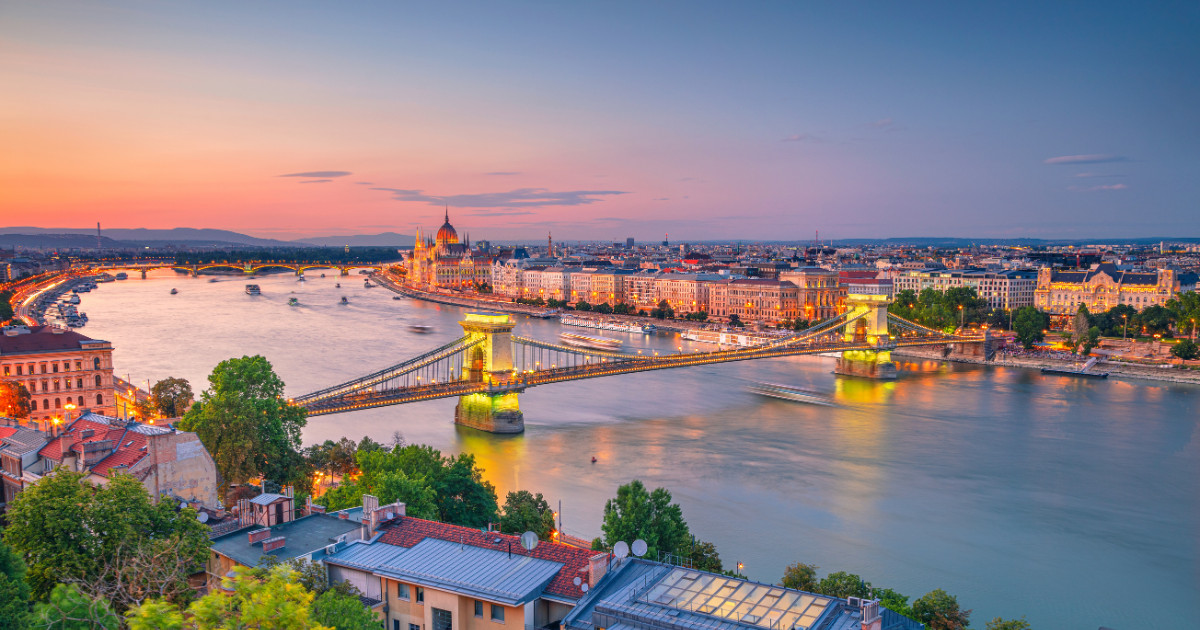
(604, 121)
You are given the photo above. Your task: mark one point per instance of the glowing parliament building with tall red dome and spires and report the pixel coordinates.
(446, 263)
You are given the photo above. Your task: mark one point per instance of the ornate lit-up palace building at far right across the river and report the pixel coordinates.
(1103, 286)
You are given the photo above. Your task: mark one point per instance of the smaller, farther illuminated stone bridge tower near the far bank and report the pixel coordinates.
(872, 302)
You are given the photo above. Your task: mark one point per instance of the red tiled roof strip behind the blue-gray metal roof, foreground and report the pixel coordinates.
(407, 532)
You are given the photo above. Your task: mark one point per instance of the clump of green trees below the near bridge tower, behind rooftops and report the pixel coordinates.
(448, 489)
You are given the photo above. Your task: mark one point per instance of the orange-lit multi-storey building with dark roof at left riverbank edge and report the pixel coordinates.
(62, 369)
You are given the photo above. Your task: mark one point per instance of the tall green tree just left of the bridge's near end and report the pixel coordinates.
(247, 424)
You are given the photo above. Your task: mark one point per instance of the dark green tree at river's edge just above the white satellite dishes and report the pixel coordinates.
(651, 517)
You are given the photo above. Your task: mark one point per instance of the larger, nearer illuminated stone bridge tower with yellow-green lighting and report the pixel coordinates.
(491, 363)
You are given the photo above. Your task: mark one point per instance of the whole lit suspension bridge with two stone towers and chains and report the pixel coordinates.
(489, 368)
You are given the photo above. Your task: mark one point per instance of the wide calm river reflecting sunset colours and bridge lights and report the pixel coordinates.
(1072, 502)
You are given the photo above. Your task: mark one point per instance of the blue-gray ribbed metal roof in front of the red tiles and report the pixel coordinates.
(476, 572)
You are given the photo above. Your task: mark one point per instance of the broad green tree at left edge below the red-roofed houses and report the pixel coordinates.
(68, 530)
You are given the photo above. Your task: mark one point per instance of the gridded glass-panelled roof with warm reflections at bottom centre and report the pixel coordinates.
(739, 601)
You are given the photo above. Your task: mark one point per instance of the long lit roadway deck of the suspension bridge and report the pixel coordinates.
(621, 365)
